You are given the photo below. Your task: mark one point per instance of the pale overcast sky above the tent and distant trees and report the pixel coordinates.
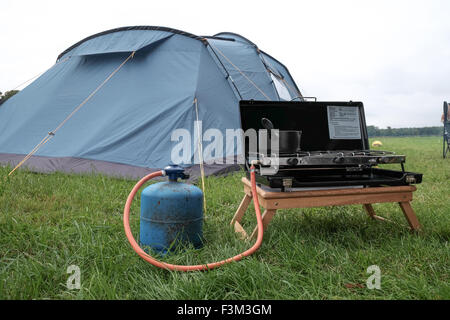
(392, 55)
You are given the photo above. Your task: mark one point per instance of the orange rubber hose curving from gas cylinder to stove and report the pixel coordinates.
(208, 266)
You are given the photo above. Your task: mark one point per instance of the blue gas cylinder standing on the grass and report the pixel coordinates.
(171, 213)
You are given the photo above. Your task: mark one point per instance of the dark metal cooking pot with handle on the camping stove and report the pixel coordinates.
(289, 140)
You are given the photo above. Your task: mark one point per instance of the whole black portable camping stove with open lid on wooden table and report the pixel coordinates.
(334, 147)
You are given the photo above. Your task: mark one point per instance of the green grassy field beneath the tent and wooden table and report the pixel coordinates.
(51, 221)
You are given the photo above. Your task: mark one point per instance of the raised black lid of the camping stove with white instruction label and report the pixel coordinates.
(325, 125)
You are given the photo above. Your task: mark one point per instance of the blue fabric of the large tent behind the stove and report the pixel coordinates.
(126, 128)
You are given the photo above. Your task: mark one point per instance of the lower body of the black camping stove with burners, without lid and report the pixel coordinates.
(331, 168)
